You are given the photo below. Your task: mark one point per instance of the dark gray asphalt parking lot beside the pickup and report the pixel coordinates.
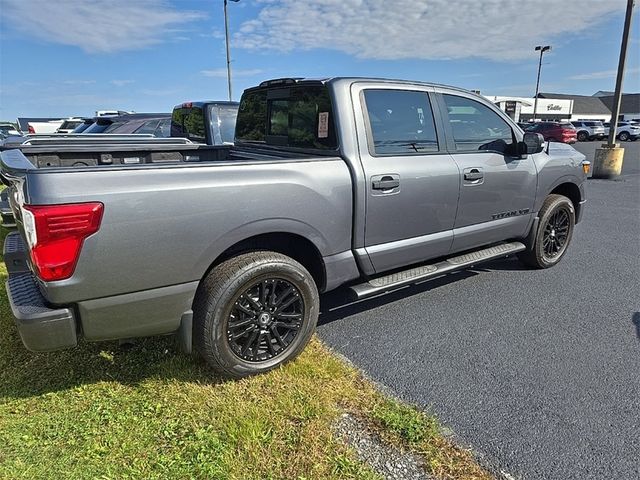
(537, 371)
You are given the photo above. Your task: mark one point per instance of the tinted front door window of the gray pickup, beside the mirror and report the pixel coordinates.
(476, 127)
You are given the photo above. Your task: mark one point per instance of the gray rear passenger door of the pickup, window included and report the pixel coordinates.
(412, 182)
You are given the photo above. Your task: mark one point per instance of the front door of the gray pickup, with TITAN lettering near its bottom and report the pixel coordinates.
(497, 187)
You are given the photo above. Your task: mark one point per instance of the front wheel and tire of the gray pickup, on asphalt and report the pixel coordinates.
(556, 215)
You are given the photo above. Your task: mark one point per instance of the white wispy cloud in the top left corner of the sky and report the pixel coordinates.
(96, 26)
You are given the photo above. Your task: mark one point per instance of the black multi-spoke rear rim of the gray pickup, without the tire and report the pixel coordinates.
(265, 319)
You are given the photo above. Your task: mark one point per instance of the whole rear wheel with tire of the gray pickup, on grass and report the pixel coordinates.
(248, 293)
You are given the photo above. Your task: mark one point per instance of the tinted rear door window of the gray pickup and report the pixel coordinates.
(401, 122)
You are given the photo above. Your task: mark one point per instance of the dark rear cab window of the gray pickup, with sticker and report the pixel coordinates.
(299, 117)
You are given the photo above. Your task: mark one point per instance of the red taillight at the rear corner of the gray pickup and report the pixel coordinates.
(55, 234)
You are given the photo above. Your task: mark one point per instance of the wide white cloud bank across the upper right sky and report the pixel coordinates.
(434, 29)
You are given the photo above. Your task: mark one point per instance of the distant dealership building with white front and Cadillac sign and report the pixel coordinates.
(563, 107)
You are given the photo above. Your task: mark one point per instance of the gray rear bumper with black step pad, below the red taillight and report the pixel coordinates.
(42, 327)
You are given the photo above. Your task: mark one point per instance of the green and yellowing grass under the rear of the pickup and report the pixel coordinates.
(99, 411)
